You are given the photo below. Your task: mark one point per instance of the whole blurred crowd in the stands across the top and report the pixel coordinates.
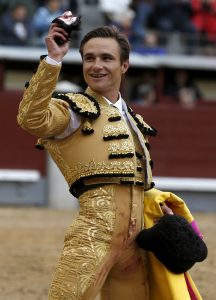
(152, 26)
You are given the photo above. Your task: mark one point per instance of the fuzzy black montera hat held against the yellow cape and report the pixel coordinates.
(174, 242)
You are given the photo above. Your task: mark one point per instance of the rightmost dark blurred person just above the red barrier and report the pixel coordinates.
(183, 89)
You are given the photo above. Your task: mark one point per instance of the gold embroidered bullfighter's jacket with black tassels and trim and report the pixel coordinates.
(101, 150)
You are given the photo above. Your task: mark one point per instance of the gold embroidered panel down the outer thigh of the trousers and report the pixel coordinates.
(87, 242)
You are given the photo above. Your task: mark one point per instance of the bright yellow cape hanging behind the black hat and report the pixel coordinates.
(163, 284)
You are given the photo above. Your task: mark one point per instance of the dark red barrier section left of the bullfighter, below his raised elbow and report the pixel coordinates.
(17, 146)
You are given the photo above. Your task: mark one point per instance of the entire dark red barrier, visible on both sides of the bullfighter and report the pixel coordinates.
(185, 145)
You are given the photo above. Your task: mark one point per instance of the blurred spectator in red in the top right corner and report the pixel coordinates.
(204, 19)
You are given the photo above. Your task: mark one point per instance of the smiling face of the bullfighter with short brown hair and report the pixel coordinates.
(102, 68)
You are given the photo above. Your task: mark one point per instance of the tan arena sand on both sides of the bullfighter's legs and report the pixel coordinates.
(31, 240)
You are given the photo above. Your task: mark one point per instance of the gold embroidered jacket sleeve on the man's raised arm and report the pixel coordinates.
(39, 113)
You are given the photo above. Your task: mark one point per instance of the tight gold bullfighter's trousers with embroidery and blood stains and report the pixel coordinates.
(99, 253)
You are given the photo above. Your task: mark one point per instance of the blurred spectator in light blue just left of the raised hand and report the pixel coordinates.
(43, 18)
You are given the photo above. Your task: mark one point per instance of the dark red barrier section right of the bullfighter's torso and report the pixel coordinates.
(186, 142)
